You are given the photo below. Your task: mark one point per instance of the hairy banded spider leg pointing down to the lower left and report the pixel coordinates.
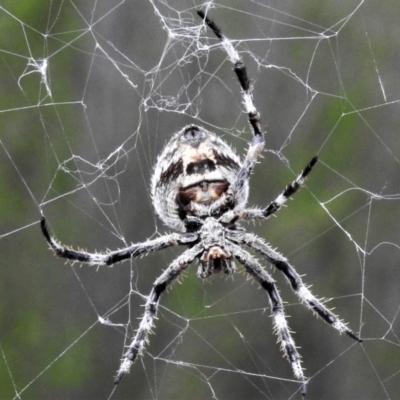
(167, 277)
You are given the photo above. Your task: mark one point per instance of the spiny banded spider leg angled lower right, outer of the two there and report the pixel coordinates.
(304, 294)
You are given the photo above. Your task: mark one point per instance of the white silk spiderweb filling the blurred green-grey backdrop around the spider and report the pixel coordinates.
(91, 93)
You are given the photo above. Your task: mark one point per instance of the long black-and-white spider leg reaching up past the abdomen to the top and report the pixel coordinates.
(257, 143)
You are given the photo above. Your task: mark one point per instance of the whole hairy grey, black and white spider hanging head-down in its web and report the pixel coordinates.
(200, 188)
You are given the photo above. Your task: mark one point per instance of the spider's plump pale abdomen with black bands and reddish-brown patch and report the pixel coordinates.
(195, 166)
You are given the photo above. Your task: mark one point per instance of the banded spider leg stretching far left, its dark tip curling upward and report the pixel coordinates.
(113, 257)
